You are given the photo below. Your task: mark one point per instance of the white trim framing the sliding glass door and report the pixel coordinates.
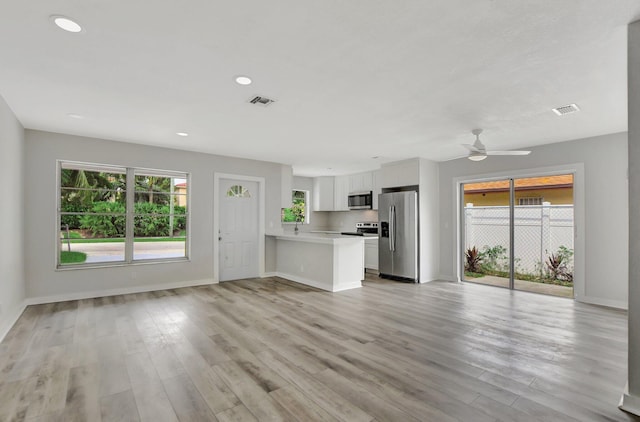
(577, 169)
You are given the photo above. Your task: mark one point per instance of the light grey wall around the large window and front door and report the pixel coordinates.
(42, 151)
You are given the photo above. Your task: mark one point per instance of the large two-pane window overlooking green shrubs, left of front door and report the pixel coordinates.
(110, 214)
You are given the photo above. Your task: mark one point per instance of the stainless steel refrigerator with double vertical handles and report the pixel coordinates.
(398, 235)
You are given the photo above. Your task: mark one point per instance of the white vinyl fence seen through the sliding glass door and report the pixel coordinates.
(540, 230)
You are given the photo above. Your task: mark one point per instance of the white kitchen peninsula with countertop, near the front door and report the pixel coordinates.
(323, 260)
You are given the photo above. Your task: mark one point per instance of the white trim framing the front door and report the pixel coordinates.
(216, 220)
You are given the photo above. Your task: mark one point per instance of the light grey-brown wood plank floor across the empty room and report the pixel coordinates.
(274, 350)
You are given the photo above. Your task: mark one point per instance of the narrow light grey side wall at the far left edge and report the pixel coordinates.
(12, 289)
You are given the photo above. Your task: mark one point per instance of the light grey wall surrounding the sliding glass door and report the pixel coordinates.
(605, 208)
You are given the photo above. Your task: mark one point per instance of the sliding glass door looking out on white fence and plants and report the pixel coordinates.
(518, 233)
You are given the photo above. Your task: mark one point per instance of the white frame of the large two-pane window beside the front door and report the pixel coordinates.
(129, 238)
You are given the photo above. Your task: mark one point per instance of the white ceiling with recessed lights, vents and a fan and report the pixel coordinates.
(352, 79)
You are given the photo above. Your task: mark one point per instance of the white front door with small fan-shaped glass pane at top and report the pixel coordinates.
(238, 234)
